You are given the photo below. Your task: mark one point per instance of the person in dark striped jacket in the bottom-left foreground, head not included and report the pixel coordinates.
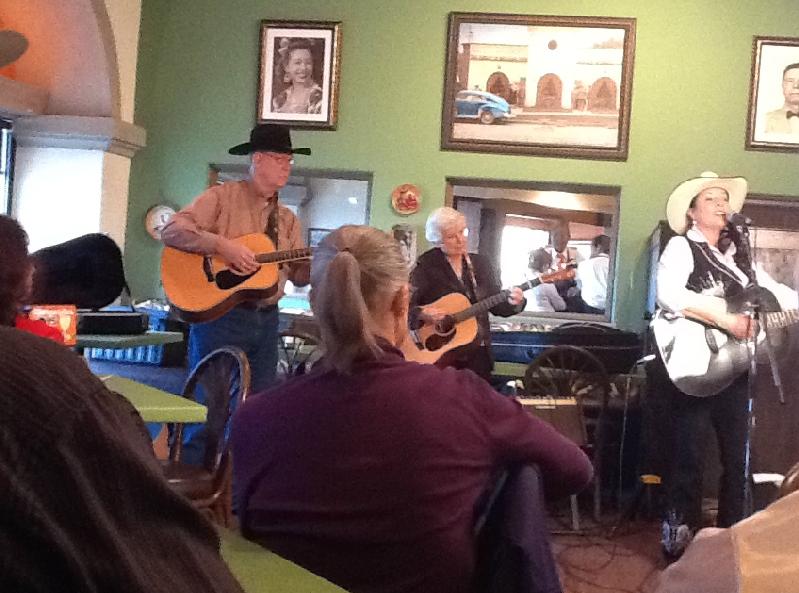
(84, 504)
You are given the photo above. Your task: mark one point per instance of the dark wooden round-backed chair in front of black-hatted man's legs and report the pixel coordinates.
(224, 378)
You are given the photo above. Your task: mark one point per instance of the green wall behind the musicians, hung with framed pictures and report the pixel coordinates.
(198, 70)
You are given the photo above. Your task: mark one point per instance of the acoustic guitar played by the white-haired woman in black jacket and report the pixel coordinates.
(459, 327)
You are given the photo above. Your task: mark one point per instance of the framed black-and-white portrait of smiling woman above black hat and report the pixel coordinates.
(299, 73)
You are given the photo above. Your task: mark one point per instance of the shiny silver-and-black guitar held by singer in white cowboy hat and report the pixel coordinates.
(702, 359)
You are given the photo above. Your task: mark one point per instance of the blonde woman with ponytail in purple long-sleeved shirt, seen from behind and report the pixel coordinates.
(367, 470)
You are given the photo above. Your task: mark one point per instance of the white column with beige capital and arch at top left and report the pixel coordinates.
(72, 114)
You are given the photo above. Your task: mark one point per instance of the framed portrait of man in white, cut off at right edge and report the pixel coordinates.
(773, 119)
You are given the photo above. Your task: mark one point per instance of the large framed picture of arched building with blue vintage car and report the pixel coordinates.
(540, 85)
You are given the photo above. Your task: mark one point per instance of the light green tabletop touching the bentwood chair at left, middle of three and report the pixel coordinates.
(155, 405)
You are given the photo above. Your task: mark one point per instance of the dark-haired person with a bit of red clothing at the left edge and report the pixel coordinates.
(16, 275)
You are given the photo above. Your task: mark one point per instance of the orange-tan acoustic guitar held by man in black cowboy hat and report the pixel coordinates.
(203, 287)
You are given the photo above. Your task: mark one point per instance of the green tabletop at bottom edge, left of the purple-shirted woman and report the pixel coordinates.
(259, 570)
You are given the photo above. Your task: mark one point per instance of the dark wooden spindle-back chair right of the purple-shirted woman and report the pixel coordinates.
(568, 387)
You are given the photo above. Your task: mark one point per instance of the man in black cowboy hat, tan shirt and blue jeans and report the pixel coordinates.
(231, 210)
